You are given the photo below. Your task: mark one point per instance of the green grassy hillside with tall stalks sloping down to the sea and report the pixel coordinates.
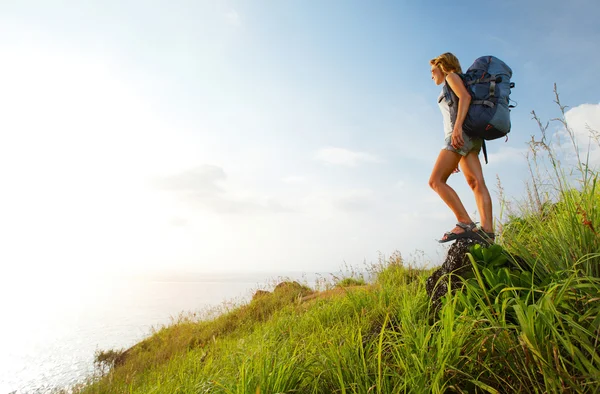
(527, 319)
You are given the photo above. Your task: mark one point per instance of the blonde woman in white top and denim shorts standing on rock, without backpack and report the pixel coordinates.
(459, 149)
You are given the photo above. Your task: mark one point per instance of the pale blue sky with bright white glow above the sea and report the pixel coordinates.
(270, 136)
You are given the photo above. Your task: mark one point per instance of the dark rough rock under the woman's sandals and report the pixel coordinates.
(456, 263)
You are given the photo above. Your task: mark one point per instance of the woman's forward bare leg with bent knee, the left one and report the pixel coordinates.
(446, 163)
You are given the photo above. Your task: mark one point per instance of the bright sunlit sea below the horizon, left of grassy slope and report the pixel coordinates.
(51, 329)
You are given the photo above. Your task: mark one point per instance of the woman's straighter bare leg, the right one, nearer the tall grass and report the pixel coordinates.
(471, 167)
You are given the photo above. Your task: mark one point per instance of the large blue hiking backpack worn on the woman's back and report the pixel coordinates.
(488, 82)
